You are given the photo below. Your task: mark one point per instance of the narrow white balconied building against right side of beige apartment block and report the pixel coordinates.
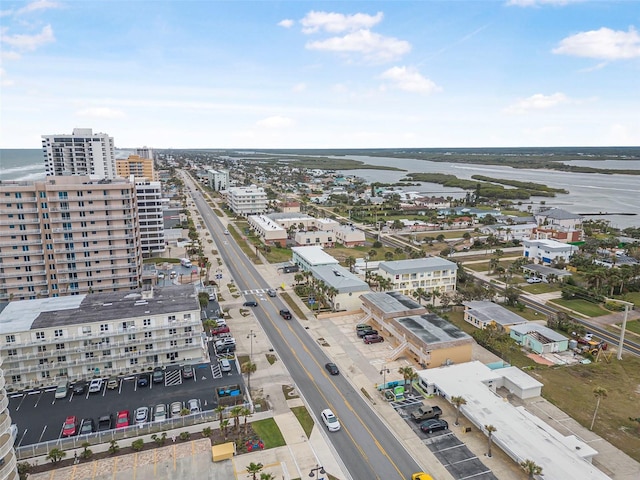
(150, 217)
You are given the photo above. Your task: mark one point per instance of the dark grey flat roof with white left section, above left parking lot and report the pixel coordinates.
(24, 315)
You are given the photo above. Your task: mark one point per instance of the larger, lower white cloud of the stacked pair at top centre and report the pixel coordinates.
(374, 47)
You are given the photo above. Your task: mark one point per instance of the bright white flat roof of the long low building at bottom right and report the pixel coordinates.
(559, 456)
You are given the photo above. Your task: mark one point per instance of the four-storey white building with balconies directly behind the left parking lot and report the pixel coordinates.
(99, 335)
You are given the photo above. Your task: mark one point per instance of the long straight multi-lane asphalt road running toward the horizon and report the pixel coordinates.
(365, 446)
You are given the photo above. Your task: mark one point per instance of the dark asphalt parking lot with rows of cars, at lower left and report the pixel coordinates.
(40, 416)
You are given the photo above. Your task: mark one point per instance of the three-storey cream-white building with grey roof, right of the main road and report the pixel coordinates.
(432, 274)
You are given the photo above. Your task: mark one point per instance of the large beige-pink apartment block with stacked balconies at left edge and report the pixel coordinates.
(68, 235)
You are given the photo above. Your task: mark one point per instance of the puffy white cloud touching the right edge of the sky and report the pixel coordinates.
(603, 44)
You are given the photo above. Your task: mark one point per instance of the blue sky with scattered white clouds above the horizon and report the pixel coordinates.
(311, 74)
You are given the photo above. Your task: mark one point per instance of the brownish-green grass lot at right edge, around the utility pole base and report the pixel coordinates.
(571, 390)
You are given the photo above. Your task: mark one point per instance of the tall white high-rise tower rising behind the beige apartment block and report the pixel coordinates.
(81, 153)
